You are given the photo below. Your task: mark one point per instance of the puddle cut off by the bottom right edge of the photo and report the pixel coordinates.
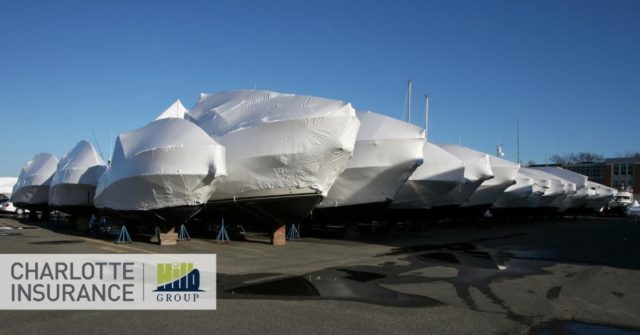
(578, 328)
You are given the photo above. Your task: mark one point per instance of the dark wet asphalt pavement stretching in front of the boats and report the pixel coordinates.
(561, 277)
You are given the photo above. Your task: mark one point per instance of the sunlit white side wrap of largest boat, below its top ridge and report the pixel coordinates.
(288, 154)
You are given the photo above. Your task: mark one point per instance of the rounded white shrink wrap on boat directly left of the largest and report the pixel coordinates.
(169, 163)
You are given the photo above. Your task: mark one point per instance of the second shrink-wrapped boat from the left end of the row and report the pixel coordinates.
(76, 177)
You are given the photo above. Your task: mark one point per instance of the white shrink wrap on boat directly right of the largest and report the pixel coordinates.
(387, 151)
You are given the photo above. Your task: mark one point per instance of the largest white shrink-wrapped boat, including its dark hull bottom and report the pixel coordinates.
(284, 151)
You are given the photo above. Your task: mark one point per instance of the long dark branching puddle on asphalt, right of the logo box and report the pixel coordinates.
(474, 267)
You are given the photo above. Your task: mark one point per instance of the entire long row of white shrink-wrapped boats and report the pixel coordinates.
(272, 158)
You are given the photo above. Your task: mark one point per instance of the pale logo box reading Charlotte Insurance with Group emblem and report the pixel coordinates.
(107, 281)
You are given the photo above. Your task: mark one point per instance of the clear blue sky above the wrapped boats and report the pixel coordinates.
(571, 68)
